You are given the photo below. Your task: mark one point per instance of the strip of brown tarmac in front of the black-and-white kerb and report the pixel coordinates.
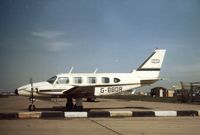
(103, 126)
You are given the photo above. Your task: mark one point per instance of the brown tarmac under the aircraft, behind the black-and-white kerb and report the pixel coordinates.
(18, 103)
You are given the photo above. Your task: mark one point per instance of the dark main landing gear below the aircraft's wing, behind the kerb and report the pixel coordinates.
(77, 107)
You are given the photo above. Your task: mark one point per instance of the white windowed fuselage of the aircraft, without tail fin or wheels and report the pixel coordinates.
(95, 84)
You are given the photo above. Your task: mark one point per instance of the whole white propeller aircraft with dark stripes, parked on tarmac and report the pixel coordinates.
(86, 85)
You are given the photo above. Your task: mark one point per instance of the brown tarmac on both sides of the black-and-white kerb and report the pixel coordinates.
(97, 126)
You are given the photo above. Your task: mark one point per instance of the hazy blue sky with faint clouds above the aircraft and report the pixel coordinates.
(41, 38)
